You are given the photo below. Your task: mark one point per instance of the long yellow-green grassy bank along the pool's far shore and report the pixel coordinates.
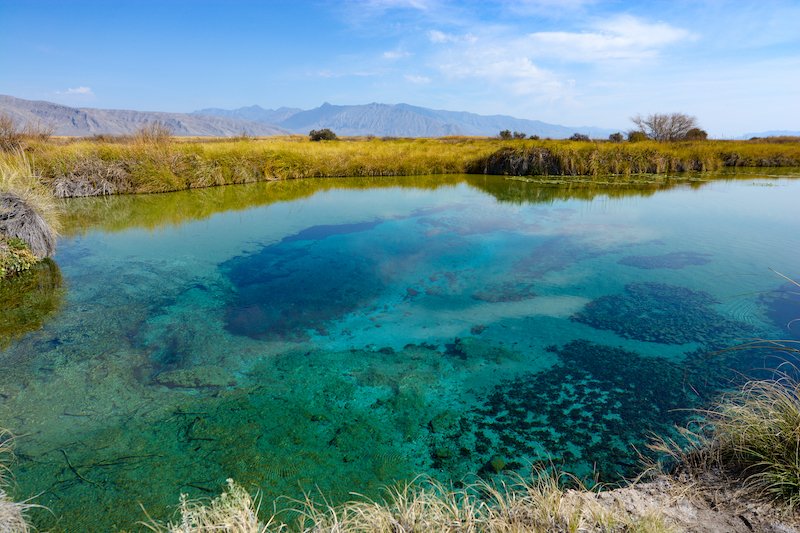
(100, 167)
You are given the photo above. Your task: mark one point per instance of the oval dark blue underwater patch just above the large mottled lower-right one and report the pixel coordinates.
(667, 314)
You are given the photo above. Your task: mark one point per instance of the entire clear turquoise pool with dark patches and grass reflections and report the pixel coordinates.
(343, 334)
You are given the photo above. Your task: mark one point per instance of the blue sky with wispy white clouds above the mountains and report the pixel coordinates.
(735, 65)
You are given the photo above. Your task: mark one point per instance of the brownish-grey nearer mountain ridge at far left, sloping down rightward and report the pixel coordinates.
(82, 122)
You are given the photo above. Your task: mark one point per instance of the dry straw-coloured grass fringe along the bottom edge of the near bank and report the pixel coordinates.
(542, 505)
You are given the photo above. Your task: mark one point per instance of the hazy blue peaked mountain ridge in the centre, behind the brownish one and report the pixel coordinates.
(400, 120)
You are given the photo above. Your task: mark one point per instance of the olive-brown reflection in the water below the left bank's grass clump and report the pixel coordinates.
(29, 298)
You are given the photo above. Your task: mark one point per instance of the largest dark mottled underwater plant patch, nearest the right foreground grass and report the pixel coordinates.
(582, 414)
